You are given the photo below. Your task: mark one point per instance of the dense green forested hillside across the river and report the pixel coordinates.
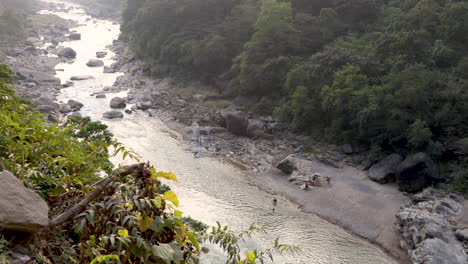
(386, 74)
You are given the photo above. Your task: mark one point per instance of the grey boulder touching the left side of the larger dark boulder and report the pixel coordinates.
(384, 170)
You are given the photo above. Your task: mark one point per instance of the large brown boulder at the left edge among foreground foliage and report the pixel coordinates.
(21, 209)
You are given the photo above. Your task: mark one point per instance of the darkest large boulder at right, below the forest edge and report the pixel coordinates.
(416, 172)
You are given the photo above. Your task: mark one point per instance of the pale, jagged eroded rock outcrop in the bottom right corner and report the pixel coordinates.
(426, 226)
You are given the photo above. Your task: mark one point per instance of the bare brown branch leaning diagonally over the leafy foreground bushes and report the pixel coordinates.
(100, 187)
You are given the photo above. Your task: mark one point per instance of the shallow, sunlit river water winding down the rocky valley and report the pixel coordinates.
(208, 189)
